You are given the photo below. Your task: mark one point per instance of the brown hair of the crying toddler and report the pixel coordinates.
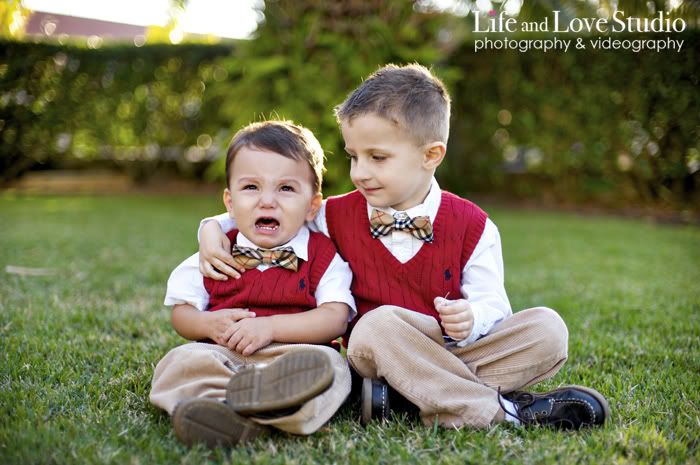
(283, 137)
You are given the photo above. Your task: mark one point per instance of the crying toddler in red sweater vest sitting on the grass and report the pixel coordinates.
(266, 365)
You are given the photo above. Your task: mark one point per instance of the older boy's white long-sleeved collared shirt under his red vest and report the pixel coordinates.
(482, 280)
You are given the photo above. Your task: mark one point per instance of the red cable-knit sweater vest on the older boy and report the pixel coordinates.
(436, 270)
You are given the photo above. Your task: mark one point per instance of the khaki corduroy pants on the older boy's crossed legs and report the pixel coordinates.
(452, 385)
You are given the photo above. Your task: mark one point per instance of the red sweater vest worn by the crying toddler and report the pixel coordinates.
(276, 290)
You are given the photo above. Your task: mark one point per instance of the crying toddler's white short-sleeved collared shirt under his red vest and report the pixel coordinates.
(186, 284)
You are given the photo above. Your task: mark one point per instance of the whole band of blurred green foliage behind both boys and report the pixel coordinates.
(587, 126)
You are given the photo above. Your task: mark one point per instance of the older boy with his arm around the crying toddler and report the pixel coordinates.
(434, 320)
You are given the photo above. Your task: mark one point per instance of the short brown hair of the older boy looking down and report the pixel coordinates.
(409, 96)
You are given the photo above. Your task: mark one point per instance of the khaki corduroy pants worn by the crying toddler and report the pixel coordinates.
(203, 370)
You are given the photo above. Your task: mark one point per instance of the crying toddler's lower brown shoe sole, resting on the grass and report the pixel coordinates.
(213, 423)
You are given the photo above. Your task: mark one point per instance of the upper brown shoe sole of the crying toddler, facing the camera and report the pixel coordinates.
(289, 381)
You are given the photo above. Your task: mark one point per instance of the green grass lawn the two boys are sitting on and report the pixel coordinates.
(77, 349)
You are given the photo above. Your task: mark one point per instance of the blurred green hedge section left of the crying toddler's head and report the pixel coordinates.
(132, 106)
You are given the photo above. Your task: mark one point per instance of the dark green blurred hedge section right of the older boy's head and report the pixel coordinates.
(586, 124)
